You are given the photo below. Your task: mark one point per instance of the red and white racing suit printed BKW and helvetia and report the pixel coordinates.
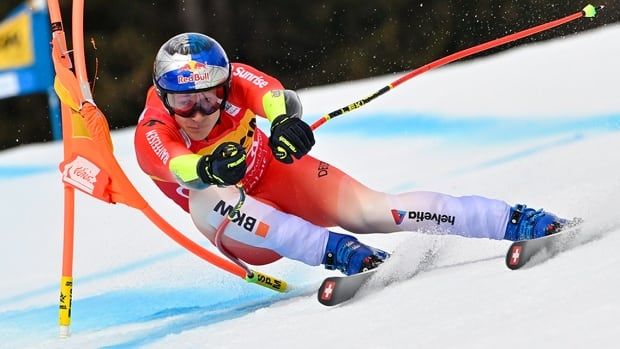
(289, 206)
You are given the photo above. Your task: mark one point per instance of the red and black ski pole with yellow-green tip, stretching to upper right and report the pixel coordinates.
(589, 11)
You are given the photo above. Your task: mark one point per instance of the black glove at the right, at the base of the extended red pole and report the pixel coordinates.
(290, 137)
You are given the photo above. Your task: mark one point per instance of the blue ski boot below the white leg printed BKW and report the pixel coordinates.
(347, 254)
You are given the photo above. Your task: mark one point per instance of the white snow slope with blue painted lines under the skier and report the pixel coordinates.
(537, 125)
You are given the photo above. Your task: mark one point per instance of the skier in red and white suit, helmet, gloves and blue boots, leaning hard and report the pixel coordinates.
(197, 138)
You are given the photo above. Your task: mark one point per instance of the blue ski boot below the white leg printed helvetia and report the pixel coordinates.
(526, 223)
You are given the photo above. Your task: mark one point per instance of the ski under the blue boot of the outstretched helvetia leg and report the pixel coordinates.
(530, 252)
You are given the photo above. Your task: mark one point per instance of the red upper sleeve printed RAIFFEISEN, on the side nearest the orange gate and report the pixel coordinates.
(157, 140)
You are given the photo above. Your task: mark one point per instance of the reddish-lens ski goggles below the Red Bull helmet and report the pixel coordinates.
(187, 104)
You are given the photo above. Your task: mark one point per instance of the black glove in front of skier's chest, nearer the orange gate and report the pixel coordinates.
(225, 166)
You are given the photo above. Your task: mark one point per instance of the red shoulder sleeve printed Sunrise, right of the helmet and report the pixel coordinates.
(250, 84)
